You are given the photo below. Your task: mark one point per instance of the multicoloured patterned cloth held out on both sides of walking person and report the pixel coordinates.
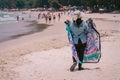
(92, 52)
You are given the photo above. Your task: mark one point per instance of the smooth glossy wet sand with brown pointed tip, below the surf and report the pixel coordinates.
(14, 30)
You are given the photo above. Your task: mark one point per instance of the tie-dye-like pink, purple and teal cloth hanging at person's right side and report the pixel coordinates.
(92, 52)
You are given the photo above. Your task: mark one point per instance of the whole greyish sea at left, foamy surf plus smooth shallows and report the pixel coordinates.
(10, 27)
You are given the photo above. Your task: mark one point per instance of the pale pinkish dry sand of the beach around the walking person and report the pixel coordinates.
(46, 55)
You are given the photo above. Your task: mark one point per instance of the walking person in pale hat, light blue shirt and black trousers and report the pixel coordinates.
(79, 30)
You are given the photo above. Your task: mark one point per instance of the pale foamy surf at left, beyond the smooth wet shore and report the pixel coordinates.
(7, 17)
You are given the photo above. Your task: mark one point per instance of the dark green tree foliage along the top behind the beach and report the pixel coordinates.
(110, 4)
